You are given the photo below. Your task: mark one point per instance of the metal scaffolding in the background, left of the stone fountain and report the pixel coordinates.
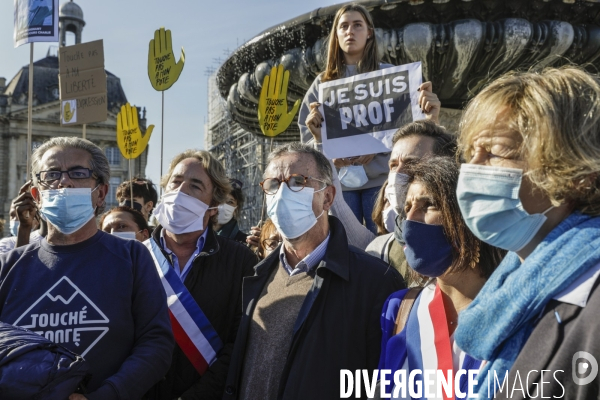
(243, 154)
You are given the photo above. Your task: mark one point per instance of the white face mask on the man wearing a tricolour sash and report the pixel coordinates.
(180, 213)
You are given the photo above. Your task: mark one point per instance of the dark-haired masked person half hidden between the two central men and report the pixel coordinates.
(229, 212)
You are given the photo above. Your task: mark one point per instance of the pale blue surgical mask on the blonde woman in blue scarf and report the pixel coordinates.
(488, 198)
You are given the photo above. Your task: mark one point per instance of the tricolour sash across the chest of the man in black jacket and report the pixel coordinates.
(192, 330)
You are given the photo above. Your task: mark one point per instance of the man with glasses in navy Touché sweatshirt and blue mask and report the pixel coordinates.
(96, 294)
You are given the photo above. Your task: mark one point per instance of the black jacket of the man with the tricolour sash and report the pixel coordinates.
(215, 282)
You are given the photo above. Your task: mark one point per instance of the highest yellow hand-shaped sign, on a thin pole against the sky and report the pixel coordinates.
(163, 71)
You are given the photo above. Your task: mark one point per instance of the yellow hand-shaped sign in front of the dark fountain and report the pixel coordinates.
(273, 115)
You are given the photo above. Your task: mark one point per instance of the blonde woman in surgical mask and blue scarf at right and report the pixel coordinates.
(532, 186)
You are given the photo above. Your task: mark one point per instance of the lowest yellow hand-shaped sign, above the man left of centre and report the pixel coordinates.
(129, 136)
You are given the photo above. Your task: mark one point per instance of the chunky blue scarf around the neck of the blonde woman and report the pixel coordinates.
(497, 324)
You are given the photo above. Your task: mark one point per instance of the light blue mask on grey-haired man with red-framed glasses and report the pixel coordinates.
(291, 212)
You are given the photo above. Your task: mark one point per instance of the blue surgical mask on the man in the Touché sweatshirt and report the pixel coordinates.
(67, 209)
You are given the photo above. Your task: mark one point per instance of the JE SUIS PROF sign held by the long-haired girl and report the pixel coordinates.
(362, 112)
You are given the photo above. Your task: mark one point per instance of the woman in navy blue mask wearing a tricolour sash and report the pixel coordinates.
(450, 264)
